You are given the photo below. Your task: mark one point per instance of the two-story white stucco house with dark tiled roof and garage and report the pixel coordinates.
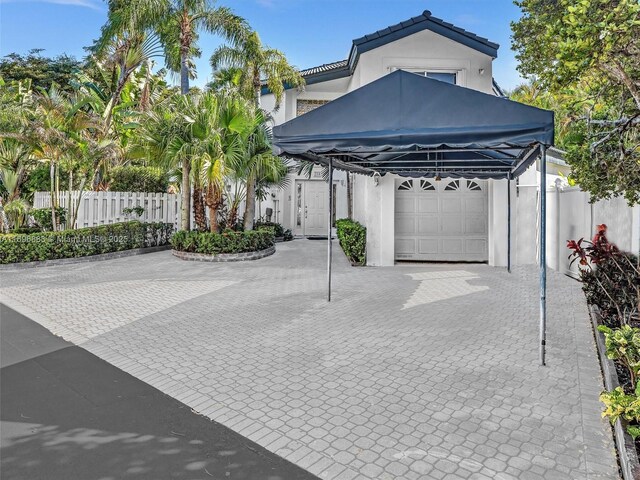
(409, 219)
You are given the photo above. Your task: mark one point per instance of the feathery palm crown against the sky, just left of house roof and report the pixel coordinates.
(258, 63)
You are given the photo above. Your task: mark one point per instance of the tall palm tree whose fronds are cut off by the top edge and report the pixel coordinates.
(178, 24)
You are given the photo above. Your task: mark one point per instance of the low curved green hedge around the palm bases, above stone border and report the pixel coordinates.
(227, 242)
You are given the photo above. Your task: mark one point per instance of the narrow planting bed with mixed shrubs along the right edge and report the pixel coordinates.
(611, 283)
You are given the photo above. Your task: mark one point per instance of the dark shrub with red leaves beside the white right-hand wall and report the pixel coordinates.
(610, 278)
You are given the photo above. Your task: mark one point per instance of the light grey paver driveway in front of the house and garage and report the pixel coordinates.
(417, 371)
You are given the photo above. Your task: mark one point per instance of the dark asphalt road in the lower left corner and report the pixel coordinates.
(66, 414)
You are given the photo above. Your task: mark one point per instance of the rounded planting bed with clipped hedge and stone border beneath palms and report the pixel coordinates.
(226, 246)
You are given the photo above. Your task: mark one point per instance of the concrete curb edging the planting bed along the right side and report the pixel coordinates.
(627, 455)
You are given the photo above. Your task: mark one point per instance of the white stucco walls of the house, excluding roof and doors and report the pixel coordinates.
(374, 206)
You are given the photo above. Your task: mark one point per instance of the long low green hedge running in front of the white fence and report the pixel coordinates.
(18, 248)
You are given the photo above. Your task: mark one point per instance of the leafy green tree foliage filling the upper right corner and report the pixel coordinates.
(583, 59)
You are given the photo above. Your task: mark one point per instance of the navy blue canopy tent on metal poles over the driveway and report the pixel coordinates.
(416, 126)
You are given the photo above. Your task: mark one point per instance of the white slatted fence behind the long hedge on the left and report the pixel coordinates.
(100, 208)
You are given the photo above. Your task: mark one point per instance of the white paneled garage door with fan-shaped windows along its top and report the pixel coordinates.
(442, 220)
